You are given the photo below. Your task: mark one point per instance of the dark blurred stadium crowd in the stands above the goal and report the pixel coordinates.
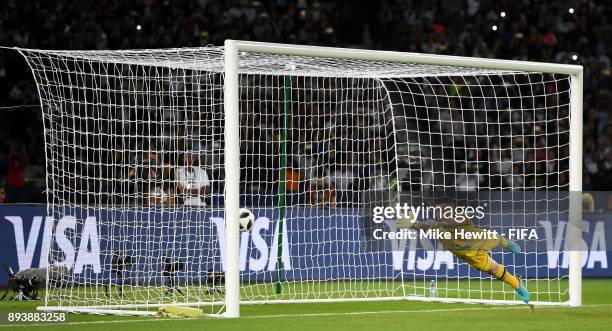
(564, 32)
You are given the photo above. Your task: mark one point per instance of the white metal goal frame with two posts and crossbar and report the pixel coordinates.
(232, 152)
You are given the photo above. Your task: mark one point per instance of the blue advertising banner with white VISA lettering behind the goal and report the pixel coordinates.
(318, 244)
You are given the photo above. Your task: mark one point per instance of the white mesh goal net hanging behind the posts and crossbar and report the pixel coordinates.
(141, 168)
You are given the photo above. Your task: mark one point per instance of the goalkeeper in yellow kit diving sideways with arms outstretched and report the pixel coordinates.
(474, 252)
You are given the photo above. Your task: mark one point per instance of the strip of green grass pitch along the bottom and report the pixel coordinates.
(595, 314)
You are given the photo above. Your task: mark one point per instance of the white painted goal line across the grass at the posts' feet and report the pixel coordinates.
(379, 312)
